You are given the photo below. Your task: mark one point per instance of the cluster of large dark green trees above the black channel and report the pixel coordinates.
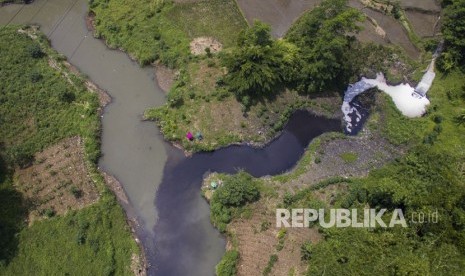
(310, 58)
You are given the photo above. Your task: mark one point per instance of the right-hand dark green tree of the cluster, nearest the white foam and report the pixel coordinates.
(325, 38)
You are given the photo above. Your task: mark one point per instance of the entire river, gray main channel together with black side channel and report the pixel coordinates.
(163, 186)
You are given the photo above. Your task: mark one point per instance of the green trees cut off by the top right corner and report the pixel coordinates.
(454, 35)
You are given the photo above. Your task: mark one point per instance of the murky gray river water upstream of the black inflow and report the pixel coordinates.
(134, 151)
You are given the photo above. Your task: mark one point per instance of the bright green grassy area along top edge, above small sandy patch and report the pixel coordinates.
(162, 30)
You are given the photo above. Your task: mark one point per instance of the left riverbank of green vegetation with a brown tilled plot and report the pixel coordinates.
(57, 214)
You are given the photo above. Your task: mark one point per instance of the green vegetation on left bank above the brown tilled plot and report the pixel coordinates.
(37, 114)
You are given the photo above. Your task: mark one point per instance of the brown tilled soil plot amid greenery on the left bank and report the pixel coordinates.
(58, 181)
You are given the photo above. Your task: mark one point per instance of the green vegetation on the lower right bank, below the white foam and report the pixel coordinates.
(427, 179)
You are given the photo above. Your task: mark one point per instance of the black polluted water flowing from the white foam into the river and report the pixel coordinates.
(185, 241)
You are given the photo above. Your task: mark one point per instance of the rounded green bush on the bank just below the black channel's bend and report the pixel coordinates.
(235, 192)
